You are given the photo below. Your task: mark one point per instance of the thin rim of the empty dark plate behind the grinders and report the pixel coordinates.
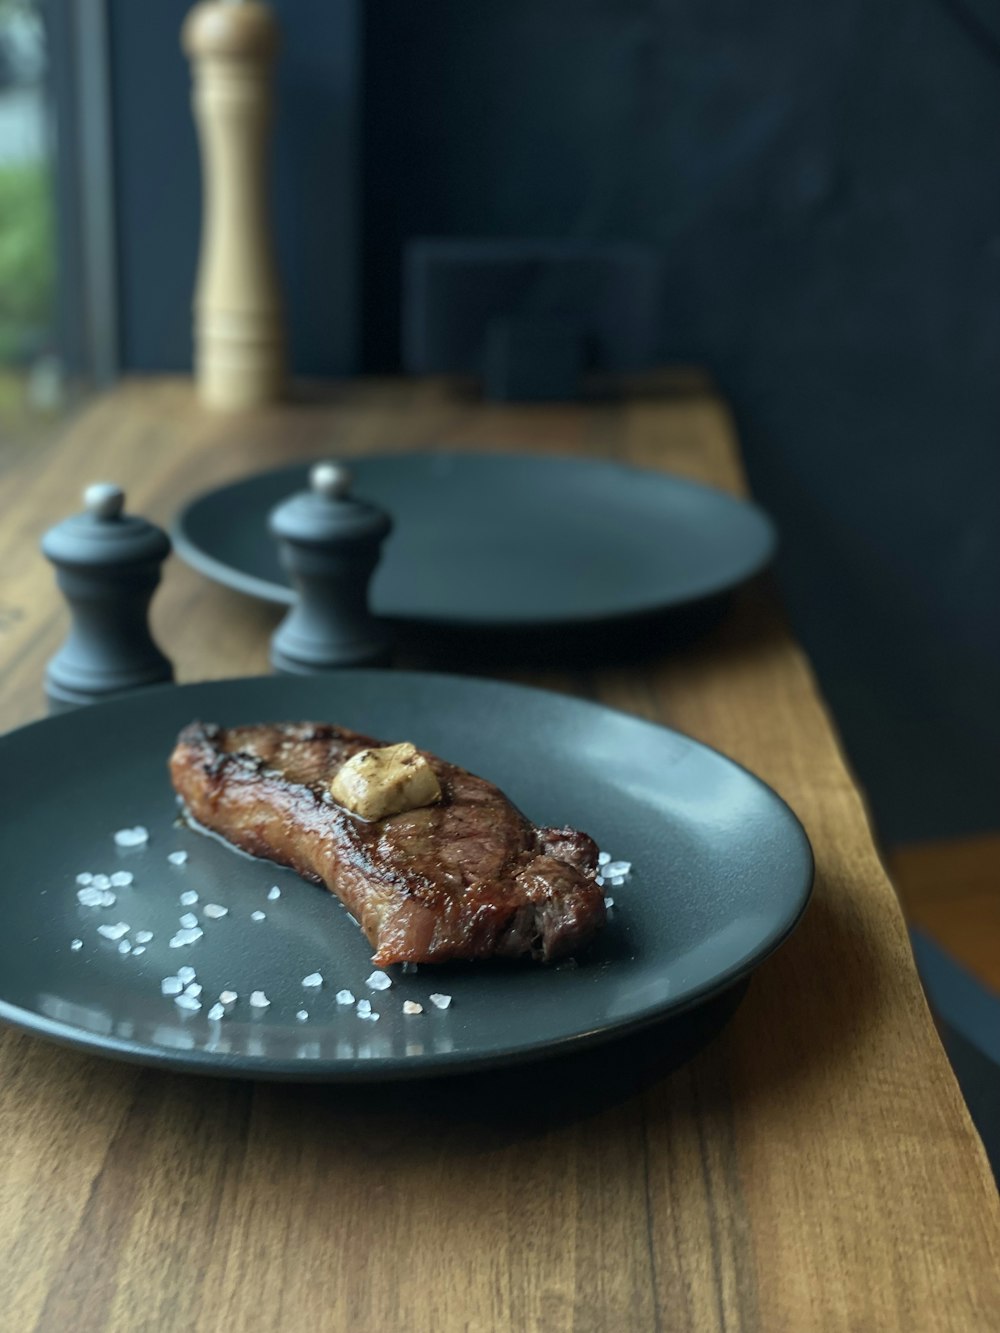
(278, 595)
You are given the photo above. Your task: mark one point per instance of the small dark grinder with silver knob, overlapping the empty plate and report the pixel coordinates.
(330, 545)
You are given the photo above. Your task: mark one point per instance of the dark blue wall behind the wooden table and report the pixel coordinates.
(822, 181)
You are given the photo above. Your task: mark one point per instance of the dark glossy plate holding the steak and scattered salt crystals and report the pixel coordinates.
(722, 871)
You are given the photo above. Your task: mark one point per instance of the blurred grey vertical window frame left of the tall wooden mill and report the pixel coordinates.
(85, 189)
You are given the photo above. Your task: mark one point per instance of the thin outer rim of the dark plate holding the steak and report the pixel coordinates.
(394, 1070)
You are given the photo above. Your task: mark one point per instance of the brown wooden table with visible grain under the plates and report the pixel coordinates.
(814, 1168)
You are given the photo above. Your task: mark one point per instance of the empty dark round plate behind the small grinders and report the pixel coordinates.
(490, 541)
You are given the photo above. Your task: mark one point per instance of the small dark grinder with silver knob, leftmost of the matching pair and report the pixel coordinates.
(109, 567)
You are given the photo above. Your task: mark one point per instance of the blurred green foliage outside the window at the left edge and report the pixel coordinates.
(27, 258)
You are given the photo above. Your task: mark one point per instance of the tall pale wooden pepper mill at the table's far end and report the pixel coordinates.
(239, 330)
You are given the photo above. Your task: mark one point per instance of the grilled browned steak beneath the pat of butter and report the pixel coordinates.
(469, 878)
